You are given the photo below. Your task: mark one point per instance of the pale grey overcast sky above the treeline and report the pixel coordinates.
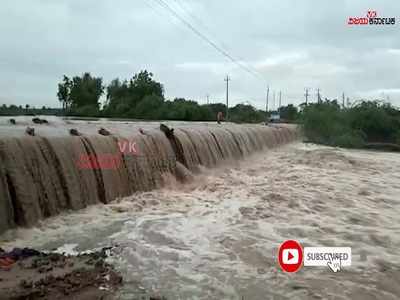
(291, 44)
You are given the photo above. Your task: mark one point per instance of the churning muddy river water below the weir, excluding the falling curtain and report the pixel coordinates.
(217, 237)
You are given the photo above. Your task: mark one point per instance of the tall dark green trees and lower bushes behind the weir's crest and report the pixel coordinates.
(141, 97)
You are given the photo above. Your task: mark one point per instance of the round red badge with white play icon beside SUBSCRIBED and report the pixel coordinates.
(290, 256)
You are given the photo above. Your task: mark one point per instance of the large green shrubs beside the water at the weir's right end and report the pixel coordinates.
(369, 121)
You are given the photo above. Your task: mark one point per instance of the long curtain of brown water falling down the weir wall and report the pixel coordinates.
(43, 176)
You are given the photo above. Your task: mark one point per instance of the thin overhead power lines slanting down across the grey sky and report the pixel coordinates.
(206, 39)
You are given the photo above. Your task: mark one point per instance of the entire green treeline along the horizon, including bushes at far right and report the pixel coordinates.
(141, 97)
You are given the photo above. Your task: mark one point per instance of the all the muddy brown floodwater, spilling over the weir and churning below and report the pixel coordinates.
(200, 212)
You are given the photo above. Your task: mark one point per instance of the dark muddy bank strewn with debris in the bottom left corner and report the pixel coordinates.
(30, 274)
